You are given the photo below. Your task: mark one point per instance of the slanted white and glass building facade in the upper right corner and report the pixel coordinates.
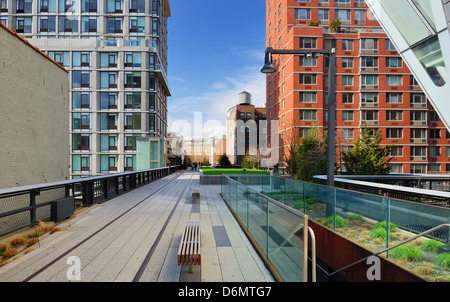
(419, 29)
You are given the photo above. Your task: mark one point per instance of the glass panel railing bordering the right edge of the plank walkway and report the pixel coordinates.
(278, 230)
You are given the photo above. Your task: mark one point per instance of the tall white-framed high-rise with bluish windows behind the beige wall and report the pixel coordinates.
(116, 52)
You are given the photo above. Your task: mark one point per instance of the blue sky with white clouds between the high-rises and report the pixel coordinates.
(216, 51)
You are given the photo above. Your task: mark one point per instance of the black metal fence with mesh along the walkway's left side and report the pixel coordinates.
(23, 206)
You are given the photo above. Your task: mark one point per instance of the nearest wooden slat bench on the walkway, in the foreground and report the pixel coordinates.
(189, 251)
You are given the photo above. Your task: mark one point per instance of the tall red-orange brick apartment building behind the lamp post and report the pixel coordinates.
(373, 84)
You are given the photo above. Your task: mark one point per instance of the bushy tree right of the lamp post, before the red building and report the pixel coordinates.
(367, 157)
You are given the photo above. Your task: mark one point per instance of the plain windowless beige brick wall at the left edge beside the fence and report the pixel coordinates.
(34, 105)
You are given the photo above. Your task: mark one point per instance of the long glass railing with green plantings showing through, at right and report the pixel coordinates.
(373, 222)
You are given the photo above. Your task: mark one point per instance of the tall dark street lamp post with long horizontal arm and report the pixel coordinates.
(270, 68)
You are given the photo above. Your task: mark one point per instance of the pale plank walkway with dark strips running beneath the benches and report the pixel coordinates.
(135, 237)
